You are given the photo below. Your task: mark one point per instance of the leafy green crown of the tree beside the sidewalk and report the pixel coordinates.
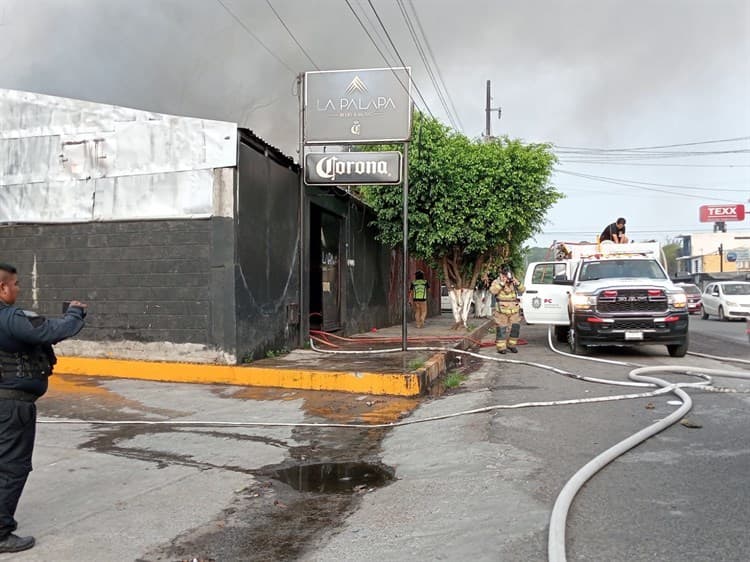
(472, 204)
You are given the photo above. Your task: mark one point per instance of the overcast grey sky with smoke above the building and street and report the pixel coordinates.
(580, 73)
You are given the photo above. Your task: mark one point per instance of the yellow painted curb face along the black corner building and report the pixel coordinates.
(407, 384)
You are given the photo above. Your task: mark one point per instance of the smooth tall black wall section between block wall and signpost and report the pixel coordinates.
(267, 267)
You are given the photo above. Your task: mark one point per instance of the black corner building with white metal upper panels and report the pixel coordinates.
(182, 234)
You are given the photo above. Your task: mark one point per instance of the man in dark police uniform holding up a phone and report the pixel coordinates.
(26, 361)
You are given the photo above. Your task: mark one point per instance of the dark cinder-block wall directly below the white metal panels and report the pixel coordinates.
(145, 281)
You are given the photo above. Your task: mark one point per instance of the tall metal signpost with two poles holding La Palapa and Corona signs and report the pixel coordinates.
(378, 111)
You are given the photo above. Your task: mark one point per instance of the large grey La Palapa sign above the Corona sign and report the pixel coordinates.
(357, 106)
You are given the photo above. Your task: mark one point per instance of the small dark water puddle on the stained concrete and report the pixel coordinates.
(332, 477)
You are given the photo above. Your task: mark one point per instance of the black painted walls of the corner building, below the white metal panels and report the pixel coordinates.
(231, 284)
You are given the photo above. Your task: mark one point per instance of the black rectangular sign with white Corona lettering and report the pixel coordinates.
(353, 168)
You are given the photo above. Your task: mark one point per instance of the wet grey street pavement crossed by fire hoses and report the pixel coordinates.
(477, 487)
